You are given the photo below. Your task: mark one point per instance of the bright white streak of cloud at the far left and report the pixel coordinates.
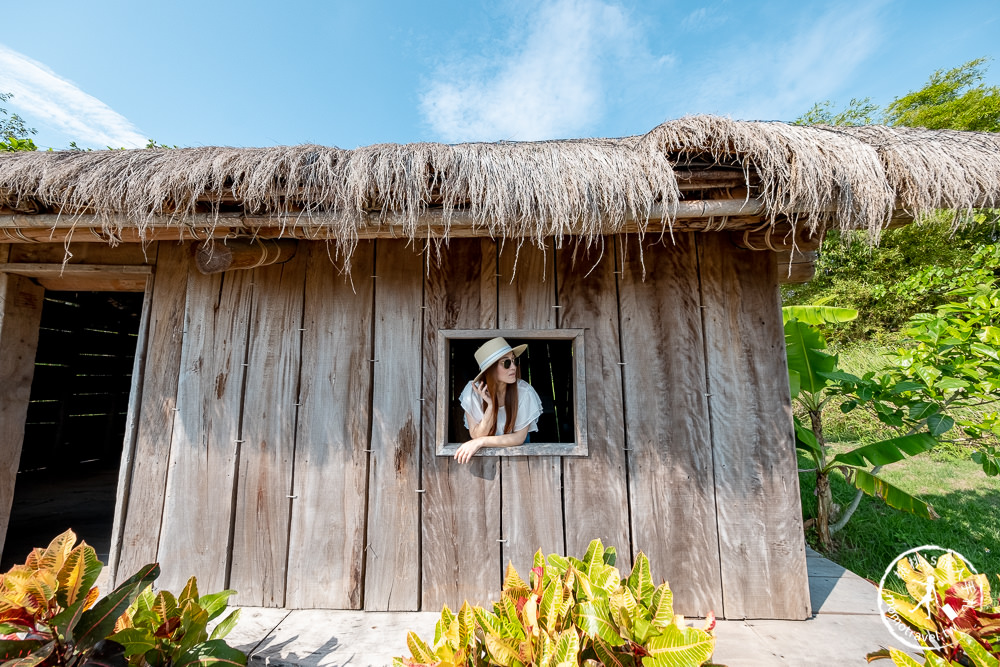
(47, 100)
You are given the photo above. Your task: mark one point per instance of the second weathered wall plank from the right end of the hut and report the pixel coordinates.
(670, 459)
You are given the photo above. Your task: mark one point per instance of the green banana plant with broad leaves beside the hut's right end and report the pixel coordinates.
(815, 381)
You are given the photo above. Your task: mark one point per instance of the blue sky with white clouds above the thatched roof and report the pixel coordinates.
(353, 73)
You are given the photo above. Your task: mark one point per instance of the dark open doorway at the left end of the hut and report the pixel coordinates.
(75, 428)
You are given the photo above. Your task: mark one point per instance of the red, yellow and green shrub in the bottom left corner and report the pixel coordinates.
(50, 615)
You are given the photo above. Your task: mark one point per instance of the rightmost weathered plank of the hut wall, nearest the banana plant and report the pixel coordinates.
(757, 488)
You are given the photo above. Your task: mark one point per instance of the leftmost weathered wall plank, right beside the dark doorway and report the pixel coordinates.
(140, 525)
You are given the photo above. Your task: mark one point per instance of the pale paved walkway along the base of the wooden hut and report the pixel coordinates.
(844, 627)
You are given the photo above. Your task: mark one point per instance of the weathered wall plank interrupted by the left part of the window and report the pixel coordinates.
(461, 504)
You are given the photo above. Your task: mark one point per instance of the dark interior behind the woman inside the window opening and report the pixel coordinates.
(547, 365)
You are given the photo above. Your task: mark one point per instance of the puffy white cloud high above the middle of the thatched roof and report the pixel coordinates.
(553, 83)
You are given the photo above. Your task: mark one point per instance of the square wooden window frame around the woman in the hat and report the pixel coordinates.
(579, 384)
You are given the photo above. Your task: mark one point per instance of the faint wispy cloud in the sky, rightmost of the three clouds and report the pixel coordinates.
(780, 79)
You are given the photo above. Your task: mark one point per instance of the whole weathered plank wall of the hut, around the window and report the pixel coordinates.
(307, 477)
